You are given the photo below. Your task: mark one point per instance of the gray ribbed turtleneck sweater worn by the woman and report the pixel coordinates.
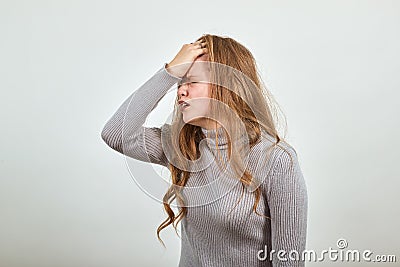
(211, 236)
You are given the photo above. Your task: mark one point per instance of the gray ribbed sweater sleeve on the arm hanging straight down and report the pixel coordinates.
(287, 200)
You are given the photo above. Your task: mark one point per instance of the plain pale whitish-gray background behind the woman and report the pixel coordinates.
(67, 199)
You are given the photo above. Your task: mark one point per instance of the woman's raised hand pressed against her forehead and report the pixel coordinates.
(185, 57)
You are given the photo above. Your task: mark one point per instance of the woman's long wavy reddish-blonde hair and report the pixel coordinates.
(245, 92)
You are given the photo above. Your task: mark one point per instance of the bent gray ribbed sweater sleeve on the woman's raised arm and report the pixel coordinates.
(124, 131)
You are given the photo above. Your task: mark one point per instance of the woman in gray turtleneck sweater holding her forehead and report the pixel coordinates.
(238, 185)
